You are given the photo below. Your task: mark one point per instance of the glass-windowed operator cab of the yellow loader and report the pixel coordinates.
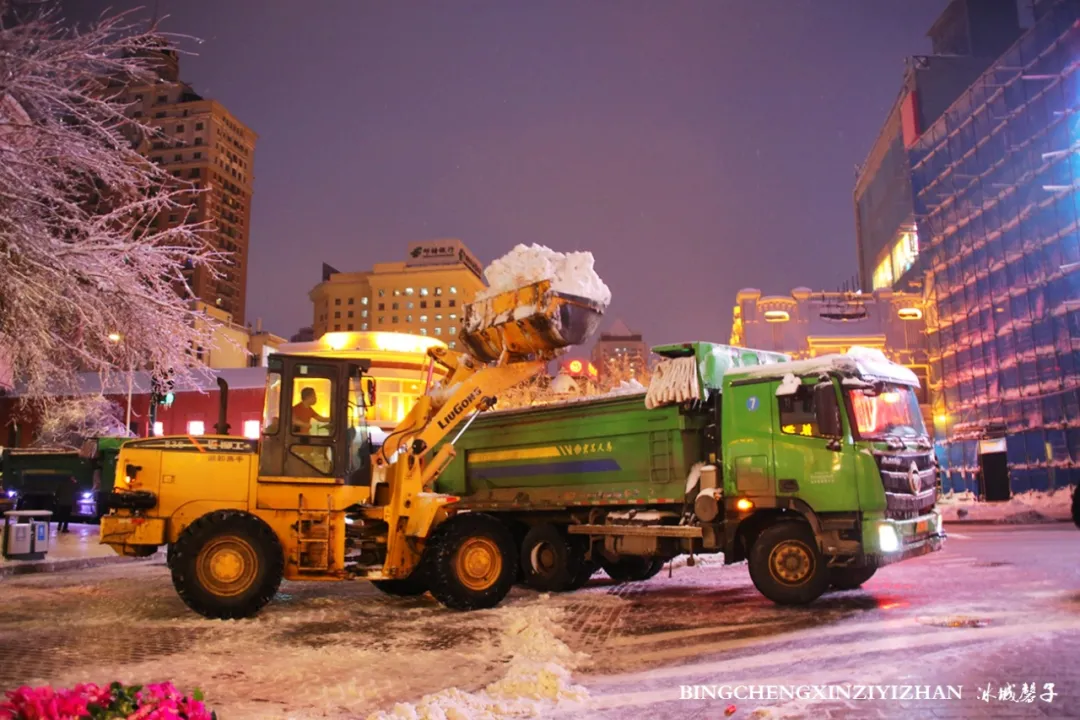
(315, 423)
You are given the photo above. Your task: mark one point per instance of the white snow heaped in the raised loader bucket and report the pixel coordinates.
(570, 273)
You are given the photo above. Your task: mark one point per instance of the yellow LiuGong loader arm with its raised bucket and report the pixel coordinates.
(511, 337)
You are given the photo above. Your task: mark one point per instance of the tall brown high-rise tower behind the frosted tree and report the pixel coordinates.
(199, 141)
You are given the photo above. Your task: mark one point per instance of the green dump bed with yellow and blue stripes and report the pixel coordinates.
(611, 452)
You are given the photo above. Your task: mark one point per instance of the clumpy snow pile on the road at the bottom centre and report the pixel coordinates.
(537, 682)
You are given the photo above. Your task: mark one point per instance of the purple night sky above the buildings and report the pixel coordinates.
(694, 147)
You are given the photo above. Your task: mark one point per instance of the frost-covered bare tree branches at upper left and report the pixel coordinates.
(89, 280)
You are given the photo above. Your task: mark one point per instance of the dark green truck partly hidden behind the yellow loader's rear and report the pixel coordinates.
(32, 478)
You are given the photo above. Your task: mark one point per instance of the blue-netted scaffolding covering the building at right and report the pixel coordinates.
(997, 196)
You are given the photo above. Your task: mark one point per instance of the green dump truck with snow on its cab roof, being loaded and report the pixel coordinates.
(816, 472)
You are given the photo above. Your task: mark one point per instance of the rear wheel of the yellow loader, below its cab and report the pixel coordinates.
(227, 565)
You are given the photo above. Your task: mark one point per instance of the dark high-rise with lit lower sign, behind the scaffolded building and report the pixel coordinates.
(966, 39)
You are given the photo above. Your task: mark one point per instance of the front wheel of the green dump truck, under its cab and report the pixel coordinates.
(787, 566)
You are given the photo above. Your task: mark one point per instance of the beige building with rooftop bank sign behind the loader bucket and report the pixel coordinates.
(423, 295)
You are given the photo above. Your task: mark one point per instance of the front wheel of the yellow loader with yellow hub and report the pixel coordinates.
(471, 562)
